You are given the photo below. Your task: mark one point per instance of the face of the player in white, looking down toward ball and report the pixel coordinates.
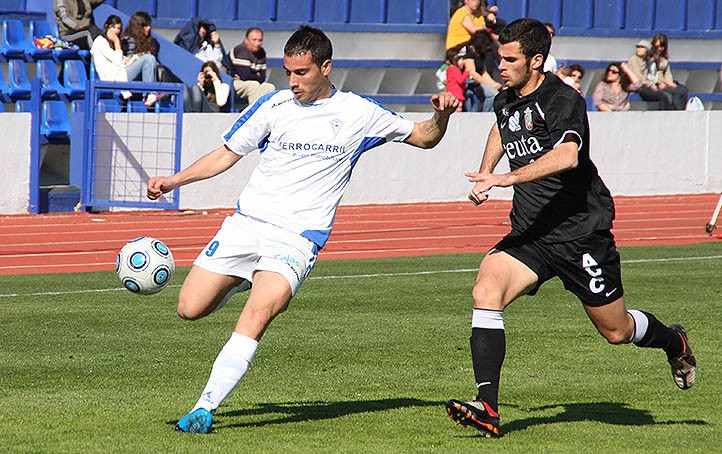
(307, 81)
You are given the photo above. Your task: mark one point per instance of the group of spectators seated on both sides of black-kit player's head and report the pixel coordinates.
(471, 72)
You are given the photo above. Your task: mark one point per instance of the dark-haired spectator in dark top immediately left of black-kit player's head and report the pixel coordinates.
(485, 77)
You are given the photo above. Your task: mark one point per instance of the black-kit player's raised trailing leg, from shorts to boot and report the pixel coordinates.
(643, 329)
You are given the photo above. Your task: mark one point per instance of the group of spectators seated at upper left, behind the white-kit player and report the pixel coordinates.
(131, 53)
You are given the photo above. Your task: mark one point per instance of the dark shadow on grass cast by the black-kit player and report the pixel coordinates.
(604, 412)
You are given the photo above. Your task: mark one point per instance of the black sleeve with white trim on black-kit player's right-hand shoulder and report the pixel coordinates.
(566, 114)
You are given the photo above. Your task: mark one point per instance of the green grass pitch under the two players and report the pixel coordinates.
(362, 361)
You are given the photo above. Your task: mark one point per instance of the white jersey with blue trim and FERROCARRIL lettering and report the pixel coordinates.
(307, 154)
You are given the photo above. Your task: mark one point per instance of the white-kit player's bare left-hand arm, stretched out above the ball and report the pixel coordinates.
(207, 166)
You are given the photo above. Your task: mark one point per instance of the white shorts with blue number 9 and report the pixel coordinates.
(244, 245)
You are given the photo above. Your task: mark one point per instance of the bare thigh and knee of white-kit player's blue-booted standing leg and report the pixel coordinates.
(270, 295)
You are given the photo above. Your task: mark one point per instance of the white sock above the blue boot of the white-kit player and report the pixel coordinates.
(228, 369)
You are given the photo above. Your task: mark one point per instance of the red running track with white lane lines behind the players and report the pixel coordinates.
(78, 242)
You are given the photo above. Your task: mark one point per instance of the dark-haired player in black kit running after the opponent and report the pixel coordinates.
(560, 224)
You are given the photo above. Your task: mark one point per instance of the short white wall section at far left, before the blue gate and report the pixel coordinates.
(15, 163)
